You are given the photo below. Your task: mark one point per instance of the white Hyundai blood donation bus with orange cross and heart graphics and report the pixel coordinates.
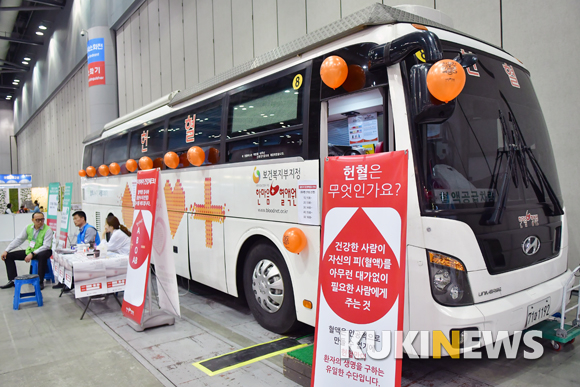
(486, 239)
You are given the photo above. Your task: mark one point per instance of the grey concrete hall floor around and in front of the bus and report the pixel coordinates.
(50, 345)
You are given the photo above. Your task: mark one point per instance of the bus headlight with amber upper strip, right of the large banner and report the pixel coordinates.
(449, 283)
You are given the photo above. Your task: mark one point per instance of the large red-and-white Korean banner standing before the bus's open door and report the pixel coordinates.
(362, 268)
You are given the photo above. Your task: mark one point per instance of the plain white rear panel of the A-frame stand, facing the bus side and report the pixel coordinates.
(162, 258)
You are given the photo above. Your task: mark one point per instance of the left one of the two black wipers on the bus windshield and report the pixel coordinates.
(508, 151)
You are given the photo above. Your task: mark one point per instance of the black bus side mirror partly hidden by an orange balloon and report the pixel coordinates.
(426, 108)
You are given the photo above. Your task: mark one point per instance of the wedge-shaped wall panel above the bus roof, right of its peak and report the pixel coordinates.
(477, 18)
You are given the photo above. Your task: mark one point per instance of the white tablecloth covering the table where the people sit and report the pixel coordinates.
(93, 276)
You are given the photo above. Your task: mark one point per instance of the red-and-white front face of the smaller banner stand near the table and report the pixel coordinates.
(141, 239)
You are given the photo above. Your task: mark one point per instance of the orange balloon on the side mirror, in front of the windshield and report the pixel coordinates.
(445, 80)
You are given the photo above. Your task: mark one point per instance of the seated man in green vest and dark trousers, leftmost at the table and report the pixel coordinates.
(39, 237)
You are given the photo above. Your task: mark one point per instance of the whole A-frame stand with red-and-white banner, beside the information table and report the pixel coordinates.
(150, 242)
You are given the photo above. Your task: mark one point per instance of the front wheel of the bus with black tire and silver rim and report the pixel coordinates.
(268, 289)
